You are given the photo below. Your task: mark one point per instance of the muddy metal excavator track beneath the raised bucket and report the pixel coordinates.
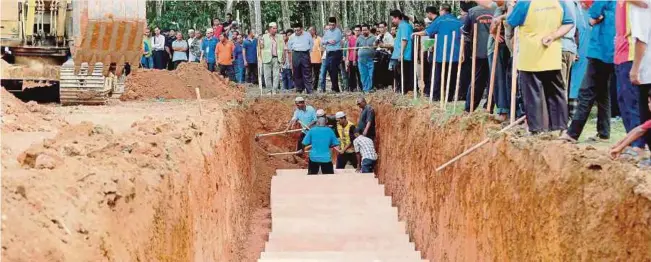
(88, 89)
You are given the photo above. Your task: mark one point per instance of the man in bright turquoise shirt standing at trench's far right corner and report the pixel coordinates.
(403, 46)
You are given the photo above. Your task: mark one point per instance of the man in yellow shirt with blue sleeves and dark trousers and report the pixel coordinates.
(541, 24)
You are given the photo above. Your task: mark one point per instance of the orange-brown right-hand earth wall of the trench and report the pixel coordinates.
(512, 200)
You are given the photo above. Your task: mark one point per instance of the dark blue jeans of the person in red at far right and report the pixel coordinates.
(627, 98)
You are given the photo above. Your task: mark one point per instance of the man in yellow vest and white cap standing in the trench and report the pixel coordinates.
(346, 134)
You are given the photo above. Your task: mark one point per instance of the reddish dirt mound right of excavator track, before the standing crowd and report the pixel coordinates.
(180, 84)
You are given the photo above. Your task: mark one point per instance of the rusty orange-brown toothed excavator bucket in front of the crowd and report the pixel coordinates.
(110, 33)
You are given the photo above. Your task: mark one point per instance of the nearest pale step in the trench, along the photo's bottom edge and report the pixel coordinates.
(345, 256)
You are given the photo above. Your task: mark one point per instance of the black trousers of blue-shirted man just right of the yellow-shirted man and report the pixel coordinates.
(595, 87)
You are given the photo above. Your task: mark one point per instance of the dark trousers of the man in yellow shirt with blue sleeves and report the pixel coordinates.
(543, 95)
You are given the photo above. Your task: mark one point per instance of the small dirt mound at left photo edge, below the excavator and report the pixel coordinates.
(27, 117)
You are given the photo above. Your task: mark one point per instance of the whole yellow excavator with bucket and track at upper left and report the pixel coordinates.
(83, 46)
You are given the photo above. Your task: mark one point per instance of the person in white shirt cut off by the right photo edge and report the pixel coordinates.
(640, 73)
